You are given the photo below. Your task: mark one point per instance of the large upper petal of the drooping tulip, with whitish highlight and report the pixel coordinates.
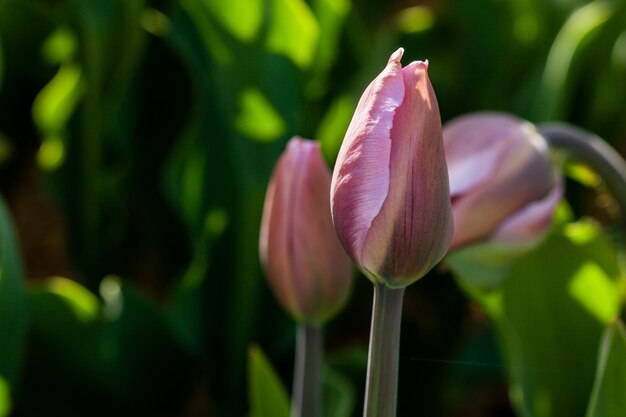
(503, 165)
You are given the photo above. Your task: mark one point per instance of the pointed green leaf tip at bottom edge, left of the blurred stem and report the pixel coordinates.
(268, 397)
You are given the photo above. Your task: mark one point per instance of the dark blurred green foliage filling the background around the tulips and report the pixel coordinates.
(136, 141)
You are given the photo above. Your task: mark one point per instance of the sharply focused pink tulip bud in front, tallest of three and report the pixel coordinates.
(389, 194)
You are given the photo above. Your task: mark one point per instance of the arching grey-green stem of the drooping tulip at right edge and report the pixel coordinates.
(593, 151)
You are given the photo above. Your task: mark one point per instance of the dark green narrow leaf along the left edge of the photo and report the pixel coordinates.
(12, 303)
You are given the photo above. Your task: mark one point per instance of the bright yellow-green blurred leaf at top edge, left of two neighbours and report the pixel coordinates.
(242, 18)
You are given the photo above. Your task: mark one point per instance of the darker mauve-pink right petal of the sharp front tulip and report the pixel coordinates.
(413, 229)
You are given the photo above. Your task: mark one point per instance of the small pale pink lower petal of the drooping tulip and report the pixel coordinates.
(526, 227)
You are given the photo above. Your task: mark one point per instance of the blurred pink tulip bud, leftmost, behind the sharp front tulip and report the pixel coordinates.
(305, 263)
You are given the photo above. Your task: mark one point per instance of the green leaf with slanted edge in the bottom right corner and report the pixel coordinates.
(608, 399)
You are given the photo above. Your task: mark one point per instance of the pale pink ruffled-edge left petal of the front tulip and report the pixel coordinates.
(360, 182)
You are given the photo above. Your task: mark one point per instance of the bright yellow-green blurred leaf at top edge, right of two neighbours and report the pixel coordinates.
(293, 31)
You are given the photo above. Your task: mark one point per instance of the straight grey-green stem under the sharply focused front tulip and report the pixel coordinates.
(381, 391)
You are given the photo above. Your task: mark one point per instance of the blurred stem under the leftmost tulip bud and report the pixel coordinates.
(306, 400)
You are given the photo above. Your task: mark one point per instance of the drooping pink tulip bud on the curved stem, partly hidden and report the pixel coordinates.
(503, 185)
